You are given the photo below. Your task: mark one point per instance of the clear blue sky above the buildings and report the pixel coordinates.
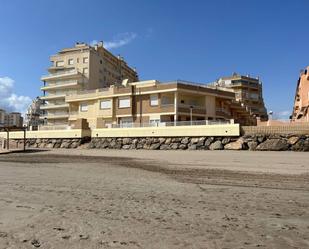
(191, 40)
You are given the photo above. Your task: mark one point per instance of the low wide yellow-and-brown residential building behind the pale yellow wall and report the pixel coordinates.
(154, 103)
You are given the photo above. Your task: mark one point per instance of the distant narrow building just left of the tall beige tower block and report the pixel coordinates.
(32, 117)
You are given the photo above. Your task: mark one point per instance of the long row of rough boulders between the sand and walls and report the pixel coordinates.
(246, 142)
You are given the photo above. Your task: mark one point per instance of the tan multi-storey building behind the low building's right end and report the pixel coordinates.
(248, 91)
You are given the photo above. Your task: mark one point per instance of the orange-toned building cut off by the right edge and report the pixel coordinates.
(301, 100)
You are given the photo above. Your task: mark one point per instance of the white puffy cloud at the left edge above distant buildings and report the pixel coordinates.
(10, 101)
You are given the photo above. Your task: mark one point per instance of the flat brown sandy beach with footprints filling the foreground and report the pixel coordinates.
(154, 199)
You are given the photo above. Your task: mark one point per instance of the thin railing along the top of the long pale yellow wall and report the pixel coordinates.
(169, 124)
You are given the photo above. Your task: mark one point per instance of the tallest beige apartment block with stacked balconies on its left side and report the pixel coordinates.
(76, 69)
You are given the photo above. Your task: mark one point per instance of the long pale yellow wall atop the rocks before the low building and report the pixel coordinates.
(178, 131)
